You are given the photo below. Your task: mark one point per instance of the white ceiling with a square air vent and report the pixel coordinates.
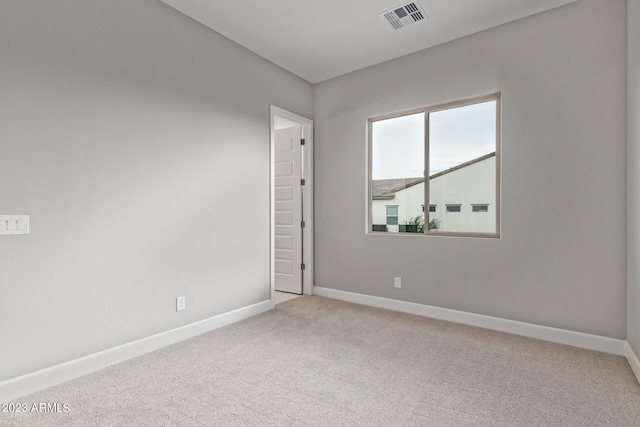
(321, 39)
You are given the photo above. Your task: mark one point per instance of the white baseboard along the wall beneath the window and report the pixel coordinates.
(561, 336)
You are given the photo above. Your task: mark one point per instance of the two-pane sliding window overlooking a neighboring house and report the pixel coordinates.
(447, 154)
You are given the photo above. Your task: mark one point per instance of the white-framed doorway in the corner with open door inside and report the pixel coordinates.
(291, 191)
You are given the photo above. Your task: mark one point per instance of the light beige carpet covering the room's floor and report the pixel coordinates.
(316, 361)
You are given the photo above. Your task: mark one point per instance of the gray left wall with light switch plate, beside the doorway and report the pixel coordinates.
(138, 141)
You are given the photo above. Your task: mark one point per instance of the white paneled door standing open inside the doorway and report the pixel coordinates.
(288, 210)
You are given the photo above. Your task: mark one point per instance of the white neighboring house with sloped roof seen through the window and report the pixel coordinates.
(461, 199)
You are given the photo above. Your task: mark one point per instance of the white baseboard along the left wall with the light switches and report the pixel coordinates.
(39, 380)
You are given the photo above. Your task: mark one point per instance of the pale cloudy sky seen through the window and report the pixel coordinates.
(456, 136)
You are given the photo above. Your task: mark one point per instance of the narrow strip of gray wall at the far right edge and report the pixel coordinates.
(633, 299)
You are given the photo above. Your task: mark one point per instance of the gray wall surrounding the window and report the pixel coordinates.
(561, 259)
